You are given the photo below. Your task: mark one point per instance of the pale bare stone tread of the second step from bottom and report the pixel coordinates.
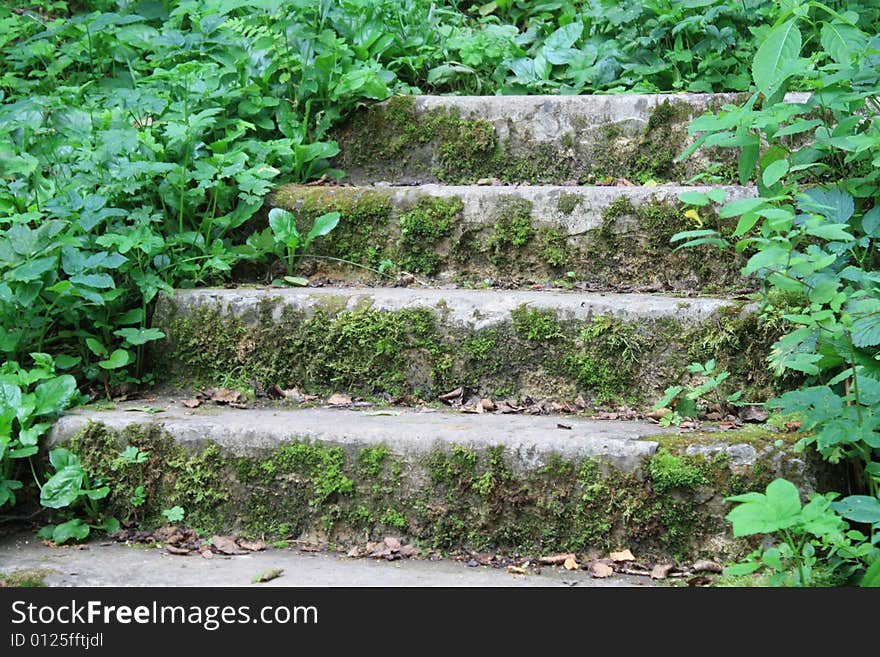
(474, 307)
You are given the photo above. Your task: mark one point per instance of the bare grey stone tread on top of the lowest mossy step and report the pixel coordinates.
(250, 432)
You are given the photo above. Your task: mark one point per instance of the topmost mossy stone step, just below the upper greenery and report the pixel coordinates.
(537, 139)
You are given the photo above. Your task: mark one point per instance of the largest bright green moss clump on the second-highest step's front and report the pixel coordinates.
(421, 228)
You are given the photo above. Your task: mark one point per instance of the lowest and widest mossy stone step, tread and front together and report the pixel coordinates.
(446, 480)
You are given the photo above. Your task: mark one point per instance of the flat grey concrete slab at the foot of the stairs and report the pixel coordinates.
(24, 559)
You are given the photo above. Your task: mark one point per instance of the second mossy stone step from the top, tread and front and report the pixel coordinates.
(607, 236)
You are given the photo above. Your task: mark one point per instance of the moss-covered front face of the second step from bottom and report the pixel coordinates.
(413, 351)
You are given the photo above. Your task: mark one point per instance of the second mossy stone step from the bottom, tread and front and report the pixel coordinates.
(428, 341)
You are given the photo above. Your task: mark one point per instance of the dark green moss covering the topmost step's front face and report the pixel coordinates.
(393, 141)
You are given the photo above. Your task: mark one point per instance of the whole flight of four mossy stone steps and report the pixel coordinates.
(532, 239)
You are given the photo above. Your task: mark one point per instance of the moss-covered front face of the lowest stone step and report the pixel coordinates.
(446, 499)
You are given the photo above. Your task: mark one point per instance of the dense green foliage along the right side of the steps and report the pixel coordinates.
(813, 234)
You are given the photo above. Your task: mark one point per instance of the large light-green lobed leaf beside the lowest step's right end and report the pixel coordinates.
(778, 509)
